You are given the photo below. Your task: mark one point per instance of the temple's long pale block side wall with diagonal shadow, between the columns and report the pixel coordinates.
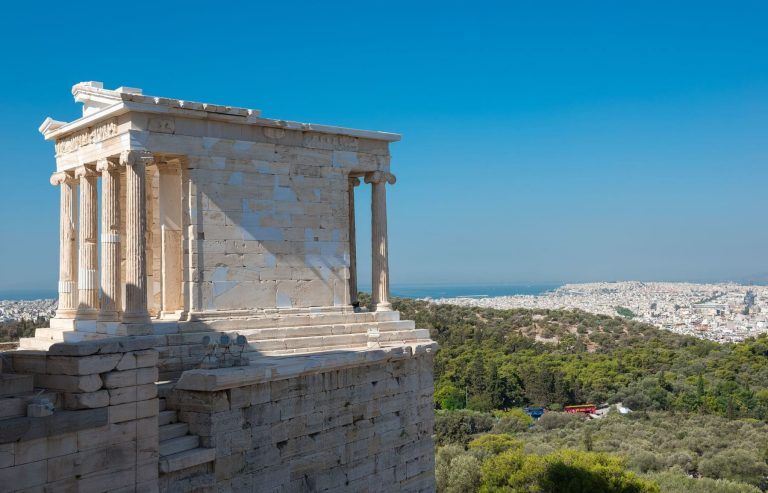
(266, 215)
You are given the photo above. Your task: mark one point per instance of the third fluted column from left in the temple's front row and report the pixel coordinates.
(110, 240)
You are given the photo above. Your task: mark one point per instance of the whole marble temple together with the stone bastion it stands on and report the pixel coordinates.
(209, 335)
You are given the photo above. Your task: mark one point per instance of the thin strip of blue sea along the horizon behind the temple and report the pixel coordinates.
(400, 290)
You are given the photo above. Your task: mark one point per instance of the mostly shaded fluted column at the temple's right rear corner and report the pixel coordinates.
(379, 258)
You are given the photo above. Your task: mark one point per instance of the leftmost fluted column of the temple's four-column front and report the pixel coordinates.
(67, 245)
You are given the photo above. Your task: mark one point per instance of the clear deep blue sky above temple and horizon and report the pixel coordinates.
(566, 141)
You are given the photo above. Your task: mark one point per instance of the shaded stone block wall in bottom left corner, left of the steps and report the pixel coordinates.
(103, 436)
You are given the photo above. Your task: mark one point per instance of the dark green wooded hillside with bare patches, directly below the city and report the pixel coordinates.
(495, 359)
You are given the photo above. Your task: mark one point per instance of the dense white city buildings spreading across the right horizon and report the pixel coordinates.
(721, 312)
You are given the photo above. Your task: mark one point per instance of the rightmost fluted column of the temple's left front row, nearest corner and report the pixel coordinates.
(135, 163)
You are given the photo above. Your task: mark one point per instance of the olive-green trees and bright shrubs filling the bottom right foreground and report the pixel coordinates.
(656, 447)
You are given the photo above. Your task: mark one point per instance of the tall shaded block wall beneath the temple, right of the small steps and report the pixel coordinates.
(357, 422)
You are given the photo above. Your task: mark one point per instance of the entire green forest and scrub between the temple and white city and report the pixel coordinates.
(699, 408)
